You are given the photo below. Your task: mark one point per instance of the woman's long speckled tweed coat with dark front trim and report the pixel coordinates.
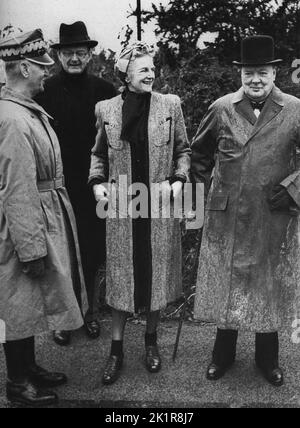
(169, 153)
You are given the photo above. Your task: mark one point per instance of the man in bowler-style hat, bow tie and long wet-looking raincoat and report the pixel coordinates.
(250, 257)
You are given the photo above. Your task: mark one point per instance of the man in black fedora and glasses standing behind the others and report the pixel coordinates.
(70, 98)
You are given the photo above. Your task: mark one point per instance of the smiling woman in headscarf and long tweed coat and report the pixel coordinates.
(142, 139)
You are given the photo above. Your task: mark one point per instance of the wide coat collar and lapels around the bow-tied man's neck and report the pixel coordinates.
(272, 108)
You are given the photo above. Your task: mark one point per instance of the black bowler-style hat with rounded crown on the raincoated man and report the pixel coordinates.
(258, 50)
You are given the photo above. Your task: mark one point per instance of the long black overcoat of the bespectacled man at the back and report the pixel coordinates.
(71, 101)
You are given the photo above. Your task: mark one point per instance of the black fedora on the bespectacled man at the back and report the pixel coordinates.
(74, 34)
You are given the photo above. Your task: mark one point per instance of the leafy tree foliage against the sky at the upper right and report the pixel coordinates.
(182, 23)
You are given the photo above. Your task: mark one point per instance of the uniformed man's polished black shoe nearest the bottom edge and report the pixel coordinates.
(27, 394)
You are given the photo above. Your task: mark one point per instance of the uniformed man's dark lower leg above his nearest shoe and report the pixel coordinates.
(19, 356)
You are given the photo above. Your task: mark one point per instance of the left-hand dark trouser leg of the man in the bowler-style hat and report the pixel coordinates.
(224, 352)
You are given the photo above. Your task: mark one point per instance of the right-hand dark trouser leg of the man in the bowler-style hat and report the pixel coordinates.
(267, 350)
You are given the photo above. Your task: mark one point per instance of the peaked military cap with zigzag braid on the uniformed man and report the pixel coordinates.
(30, 46)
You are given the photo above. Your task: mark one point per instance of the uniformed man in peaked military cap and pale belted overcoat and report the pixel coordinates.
(39, 251)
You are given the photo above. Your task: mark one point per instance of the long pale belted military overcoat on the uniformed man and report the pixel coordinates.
(35, 224)
